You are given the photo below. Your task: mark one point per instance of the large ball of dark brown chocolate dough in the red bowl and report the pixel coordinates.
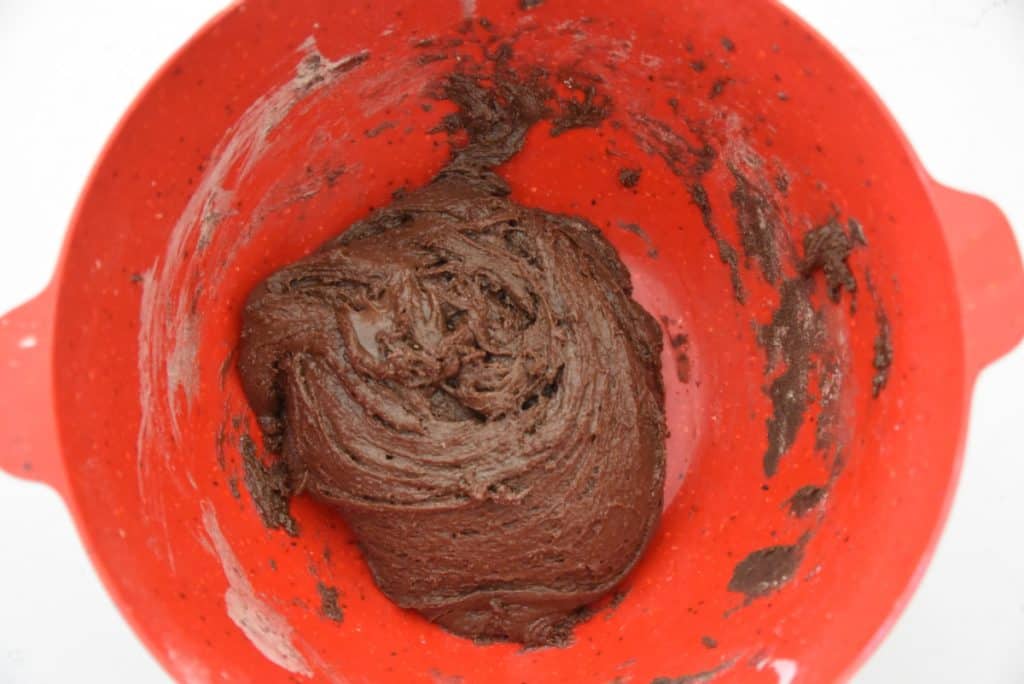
(468, 382)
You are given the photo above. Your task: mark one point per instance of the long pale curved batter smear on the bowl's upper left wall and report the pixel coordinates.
(170, 310)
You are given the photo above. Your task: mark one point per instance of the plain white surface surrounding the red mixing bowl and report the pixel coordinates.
(953, 72)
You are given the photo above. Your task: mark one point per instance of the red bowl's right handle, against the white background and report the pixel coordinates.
(990, 274)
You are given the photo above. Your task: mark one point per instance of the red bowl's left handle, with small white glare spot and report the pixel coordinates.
(29, 445)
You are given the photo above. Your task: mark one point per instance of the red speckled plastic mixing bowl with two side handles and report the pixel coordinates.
(279, 124)
